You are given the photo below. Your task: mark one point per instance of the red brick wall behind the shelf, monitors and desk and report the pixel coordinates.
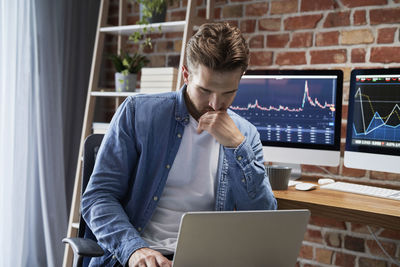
(299, 34)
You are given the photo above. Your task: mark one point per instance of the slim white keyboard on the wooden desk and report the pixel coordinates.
(363, 190)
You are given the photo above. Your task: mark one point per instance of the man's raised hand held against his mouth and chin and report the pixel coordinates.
(221, 127)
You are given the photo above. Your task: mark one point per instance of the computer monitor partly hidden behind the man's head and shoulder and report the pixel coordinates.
(297, 113)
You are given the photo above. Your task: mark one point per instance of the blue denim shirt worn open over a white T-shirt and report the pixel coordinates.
(132, 166)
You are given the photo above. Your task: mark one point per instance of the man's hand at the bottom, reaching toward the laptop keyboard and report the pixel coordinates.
(146, 257)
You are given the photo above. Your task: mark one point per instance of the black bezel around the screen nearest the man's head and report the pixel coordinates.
(338, 112)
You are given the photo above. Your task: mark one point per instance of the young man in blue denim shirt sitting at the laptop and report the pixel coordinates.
(171, 153)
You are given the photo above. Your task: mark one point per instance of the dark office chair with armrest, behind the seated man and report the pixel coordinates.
(85, 245)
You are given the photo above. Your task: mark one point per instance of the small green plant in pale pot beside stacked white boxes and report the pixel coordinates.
(127, 68)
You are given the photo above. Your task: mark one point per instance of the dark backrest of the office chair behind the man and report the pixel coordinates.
(91, 147)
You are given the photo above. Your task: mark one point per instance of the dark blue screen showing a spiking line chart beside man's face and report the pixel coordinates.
(289, 108)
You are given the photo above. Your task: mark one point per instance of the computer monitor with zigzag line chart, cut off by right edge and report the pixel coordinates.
(373, 124)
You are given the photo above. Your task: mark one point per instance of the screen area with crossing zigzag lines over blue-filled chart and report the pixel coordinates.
(376, 111)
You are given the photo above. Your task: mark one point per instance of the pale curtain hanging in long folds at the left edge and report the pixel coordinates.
(33, 206)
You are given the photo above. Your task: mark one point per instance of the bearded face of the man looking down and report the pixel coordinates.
(210, 90)
